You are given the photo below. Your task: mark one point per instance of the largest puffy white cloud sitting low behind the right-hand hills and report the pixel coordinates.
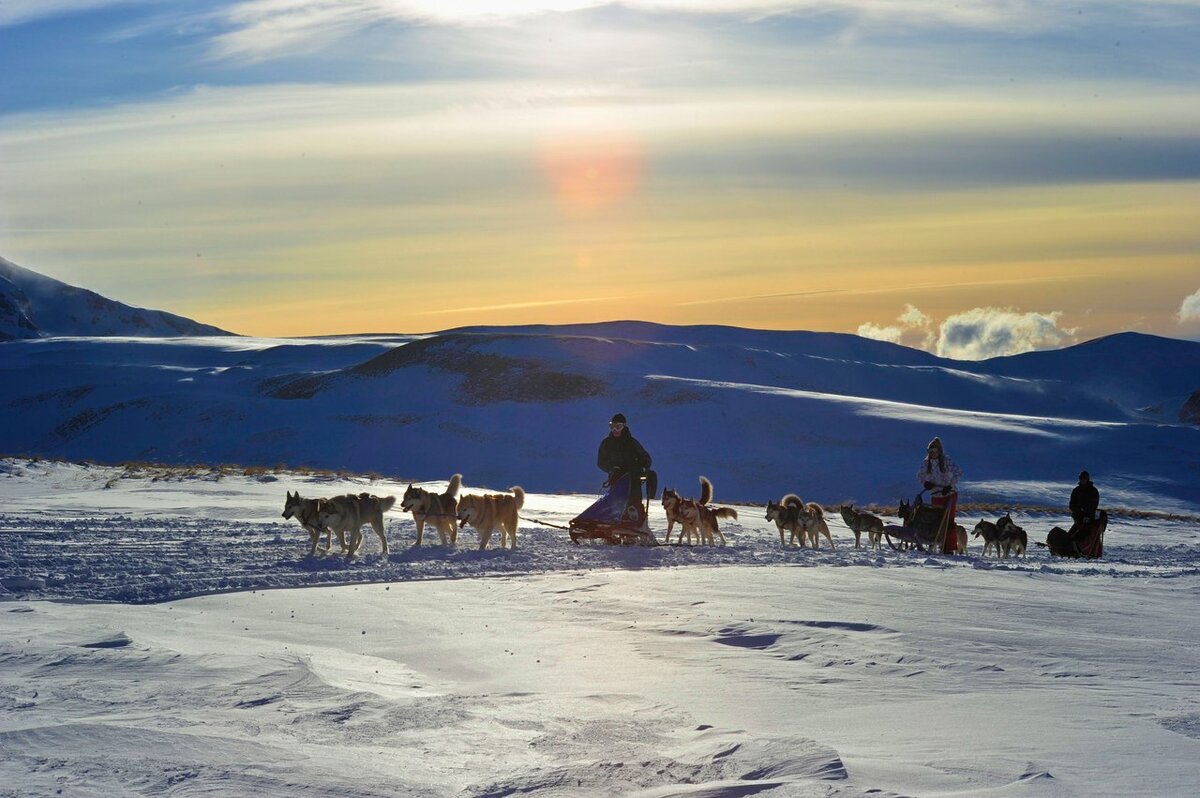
(991, 333)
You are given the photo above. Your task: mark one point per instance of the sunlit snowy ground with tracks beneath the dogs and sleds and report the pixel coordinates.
(571, 671)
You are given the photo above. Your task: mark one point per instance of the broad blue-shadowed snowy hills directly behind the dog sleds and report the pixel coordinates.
(831, 417)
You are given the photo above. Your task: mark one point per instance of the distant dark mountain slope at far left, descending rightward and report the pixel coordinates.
(35, 307)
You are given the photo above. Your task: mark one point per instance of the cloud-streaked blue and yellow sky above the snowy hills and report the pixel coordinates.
(974, 178)
